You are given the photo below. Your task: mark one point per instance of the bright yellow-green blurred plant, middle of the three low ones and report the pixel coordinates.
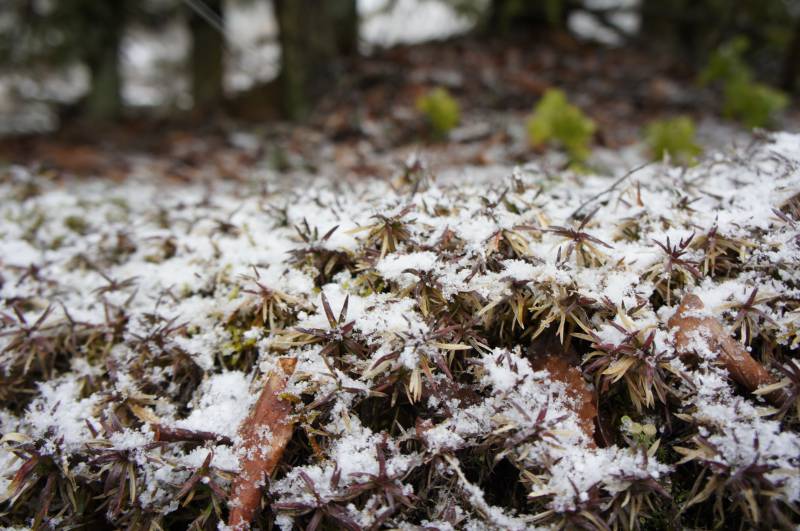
(556, 120)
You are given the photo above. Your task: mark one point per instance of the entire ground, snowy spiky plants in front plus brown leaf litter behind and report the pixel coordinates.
(453, 335)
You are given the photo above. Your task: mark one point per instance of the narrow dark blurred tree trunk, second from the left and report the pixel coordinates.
(207, 61)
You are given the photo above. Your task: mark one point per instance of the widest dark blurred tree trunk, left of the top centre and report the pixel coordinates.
(313, 35)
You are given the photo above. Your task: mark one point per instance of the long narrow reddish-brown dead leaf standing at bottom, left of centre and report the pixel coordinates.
(264, 434)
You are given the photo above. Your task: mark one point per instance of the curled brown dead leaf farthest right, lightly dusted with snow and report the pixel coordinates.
(689, 326)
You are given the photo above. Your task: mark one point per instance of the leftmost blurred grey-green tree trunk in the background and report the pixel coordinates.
(104, 101)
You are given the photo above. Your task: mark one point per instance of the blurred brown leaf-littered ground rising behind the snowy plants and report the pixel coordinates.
(368, 123)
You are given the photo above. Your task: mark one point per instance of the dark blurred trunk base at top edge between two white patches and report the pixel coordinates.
(508, 16)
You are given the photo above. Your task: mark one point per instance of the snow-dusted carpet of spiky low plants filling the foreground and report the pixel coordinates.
(424, 327)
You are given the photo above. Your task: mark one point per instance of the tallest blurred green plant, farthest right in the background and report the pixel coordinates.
(752, 103)
